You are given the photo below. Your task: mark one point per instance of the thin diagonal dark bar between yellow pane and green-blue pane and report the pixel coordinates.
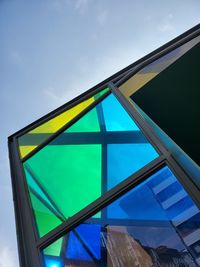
(66, 126)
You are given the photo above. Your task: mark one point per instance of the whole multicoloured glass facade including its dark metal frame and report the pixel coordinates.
(93, 183)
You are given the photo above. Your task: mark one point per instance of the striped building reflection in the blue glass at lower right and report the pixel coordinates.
(181, 210)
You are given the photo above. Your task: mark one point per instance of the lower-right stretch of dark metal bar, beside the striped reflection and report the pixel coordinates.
(189, 185)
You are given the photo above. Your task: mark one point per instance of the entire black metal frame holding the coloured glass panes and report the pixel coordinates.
(28, 244)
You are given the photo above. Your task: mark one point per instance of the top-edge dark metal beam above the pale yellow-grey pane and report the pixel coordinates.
(159, 54)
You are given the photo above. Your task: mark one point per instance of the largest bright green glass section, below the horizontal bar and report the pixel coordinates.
(67, 172)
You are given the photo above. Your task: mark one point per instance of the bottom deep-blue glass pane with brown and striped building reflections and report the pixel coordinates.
(138, 229)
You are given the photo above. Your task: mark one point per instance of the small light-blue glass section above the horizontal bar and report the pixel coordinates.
(116, 118)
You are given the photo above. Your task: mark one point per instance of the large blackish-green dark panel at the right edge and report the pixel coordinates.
(175, 96)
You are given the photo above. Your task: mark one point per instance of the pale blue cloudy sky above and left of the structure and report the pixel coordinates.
(53, 50)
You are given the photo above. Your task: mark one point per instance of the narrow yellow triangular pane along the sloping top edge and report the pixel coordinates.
(32, 139)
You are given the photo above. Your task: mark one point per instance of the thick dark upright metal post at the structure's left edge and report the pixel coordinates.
(26, 229)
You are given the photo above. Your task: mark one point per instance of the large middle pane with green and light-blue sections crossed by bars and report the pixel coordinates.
(96, 153)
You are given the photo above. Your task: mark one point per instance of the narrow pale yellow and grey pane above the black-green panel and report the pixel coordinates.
(146, 74)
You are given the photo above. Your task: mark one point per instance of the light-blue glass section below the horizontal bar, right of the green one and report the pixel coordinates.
(125, 159)
